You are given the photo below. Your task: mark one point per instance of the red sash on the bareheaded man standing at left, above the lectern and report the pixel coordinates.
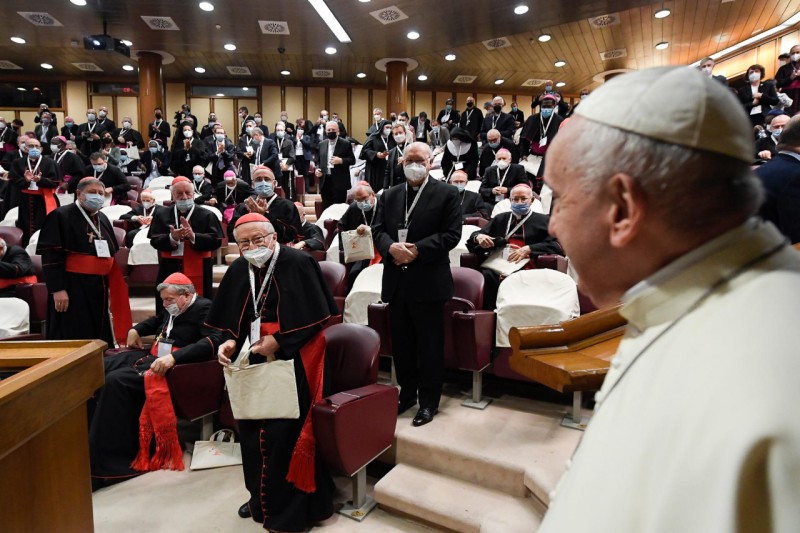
(120, 303)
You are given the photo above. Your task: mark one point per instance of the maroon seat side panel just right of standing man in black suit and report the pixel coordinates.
(474, 333)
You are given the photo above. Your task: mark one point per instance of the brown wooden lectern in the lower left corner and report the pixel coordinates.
(44, 439)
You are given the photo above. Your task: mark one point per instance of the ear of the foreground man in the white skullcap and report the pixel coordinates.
(626, 204)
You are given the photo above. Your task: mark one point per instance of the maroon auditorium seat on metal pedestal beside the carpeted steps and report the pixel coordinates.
(344, 441)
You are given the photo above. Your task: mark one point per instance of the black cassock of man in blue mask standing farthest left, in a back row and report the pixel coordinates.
(32, 206)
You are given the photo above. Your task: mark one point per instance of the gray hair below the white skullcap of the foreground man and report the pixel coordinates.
(696, 189)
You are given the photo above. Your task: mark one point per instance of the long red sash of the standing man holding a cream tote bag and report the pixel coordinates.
(301, 467)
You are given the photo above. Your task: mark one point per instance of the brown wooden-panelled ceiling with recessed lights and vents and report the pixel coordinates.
(695, 29)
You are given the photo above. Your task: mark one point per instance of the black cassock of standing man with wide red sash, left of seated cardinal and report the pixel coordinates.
(66, 231)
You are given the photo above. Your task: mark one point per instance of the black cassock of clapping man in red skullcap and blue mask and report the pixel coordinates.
(208, 237)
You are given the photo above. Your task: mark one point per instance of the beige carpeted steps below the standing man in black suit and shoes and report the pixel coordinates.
(478, 471)
